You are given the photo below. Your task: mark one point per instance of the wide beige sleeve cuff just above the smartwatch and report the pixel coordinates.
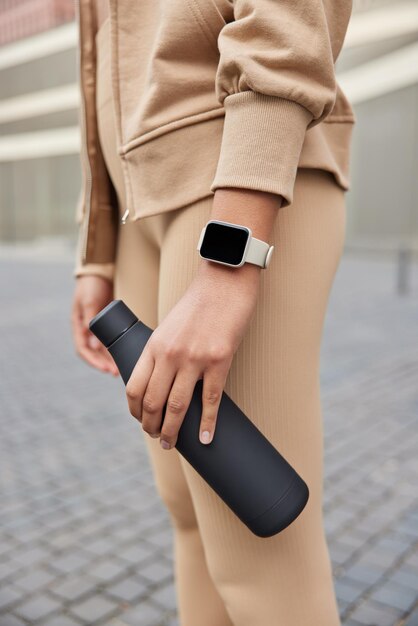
(261, 143)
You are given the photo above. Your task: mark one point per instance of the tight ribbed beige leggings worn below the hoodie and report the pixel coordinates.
(224, 574)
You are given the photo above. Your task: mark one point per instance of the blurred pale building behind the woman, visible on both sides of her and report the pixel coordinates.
(39, 136)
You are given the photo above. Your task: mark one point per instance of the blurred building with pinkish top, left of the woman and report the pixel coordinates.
(39, 139)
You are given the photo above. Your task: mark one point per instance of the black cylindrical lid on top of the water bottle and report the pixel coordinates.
(112, 321)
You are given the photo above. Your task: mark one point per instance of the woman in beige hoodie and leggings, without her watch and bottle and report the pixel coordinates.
(219, 109)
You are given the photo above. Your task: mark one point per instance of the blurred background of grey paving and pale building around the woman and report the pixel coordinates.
(84, 538)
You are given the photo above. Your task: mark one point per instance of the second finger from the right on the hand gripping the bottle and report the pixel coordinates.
(177, 404)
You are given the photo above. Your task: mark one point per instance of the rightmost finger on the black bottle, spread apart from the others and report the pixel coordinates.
(214, 380)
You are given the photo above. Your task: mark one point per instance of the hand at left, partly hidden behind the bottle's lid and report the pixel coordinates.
(92, 293)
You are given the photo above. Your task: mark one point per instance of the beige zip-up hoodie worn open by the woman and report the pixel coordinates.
(208, 94)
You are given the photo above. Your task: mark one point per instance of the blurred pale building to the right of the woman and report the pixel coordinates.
(378, 70)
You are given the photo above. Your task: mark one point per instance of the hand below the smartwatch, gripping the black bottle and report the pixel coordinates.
(197, 339)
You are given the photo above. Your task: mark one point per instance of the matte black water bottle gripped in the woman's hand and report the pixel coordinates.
(240, 464)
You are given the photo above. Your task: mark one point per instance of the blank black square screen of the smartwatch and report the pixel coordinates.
(224, 243)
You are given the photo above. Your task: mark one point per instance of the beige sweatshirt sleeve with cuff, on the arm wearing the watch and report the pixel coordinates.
(276, 79)
